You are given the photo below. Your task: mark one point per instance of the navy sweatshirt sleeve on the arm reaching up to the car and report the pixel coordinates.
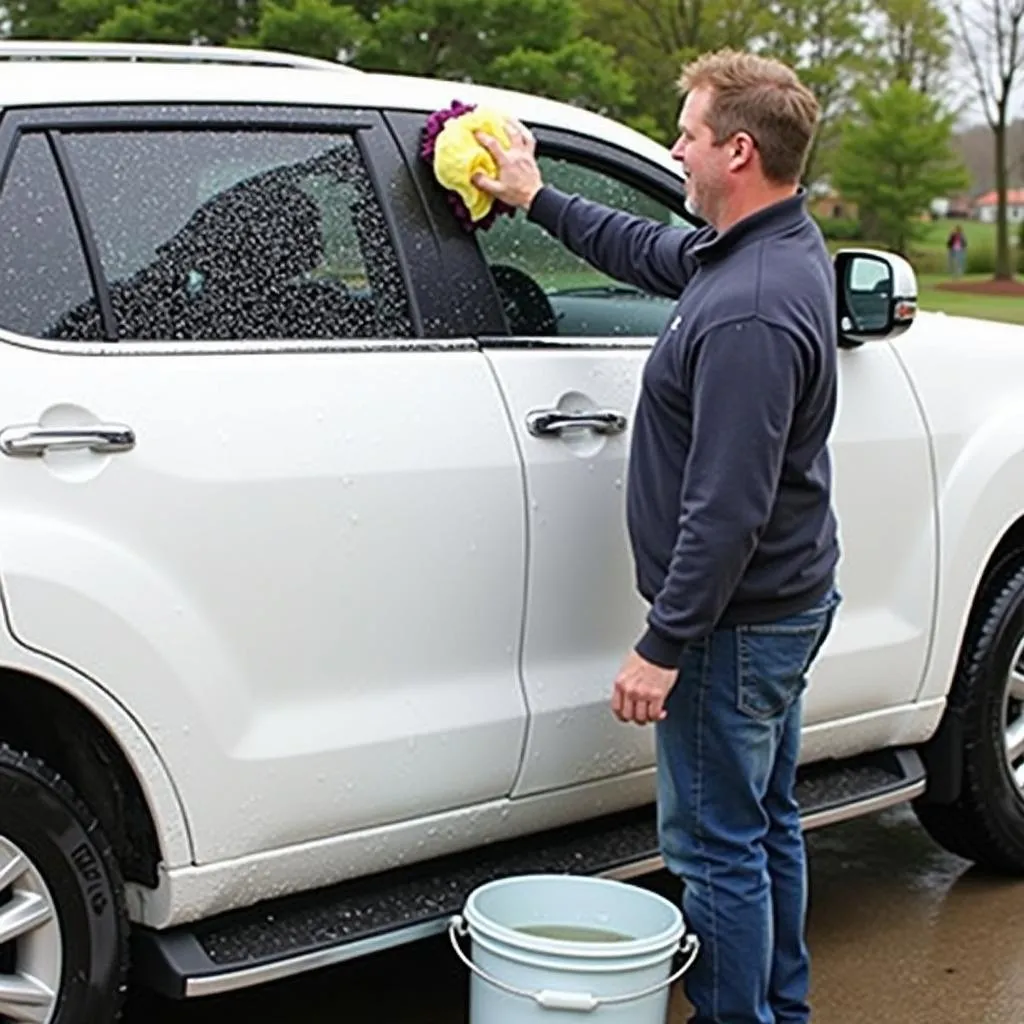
(639, 251)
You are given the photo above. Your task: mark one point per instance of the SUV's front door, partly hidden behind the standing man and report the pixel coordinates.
(569, 363)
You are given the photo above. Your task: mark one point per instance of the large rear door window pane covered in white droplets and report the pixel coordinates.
(239, 235)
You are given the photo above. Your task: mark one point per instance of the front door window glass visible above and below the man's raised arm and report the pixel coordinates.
(547, 290)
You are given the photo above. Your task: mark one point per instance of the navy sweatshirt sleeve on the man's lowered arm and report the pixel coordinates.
(748, 376)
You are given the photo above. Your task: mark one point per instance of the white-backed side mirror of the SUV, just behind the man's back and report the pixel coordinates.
(876, 295)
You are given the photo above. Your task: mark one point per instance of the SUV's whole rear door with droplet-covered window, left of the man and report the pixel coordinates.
(244, 491)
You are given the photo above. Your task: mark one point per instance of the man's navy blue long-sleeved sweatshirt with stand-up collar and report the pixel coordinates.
(730, 498)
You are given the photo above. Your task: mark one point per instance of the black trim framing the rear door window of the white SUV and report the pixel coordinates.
(377, 147)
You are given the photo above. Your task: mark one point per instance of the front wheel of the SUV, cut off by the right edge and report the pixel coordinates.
(986, 824)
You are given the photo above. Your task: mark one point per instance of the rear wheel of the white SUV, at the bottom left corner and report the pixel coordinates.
(60, 876)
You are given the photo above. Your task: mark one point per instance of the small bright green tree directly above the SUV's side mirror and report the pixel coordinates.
(895, 158)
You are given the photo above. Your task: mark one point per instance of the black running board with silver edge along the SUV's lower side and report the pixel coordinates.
(295, 934)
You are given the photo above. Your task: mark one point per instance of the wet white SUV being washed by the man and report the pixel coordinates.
(313, 559)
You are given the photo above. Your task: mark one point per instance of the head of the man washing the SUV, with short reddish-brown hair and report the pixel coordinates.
(745, 132)
